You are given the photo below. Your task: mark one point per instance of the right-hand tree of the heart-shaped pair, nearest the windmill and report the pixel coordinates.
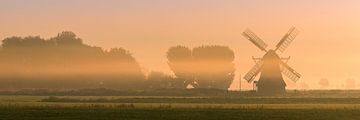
(214, 66)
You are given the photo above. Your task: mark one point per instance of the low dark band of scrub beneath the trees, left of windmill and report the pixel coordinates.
(121, 92)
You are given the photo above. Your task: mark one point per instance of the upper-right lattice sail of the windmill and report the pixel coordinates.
(287, 39)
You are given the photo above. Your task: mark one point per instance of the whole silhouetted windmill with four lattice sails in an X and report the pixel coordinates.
(271, 66)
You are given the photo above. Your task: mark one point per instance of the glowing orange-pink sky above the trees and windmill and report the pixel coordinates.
(327, 47)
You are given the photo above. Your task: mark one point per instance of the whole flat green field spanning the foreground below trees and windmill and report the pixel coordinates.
(328, 106)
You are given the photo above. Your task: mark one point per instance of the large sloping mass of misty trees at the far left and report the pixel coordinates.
(65, 62)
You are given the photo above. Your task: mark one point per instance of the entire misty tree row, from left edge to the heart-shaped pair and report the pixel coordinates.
(64, 61)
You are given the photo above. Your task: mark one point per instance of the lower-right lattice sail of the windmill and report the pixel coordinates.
(289, 72)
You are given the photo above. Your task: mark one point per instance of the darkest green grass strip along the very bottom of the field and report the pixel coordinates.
(98, 112)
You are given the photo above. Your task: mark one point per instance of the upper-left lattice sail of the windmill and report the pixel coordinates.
(255, 39)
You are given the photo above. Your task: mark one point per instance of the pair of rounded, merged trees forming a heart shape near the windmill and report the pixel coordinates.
(203, 67)
